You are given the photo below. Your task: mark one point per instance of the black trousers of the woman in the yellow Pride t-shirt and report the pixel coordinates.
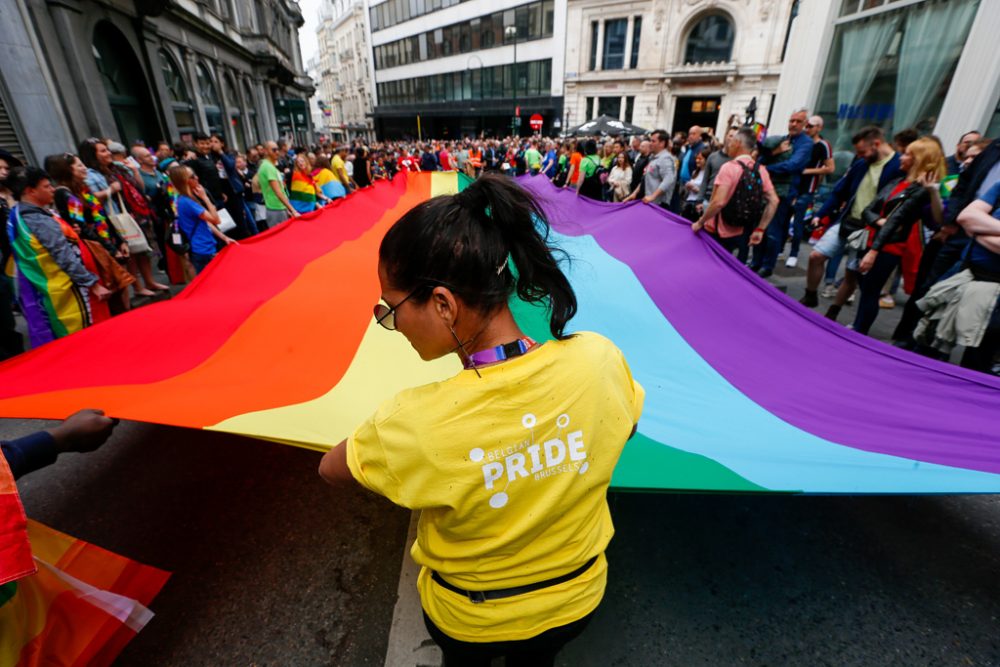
(537, 651)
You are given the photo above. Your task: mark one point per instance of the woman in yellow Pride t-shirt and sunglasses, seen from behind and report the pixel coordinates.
(509, 461)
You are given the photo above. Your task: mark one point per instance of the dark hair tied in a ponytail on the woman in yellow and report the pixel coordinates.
(485, 243)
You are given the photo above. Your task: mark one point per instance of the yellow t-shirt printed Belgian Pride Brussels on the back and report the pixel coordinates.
(510, 472)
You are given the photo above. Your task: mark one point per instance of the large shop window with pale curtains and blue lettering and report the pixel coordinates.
(893, 69)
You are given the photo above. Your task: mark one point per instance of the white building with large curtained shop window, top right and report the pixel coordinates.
(927, 64)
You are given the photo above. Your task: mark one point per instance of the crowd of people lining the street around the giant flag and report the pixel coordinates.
(901, 213)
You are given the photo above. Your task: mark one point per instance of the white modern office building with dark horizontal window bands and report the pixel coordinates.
(451, 68)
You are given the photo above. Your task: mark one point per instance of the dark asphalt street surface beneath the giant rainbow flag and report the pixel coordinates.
(273, 567)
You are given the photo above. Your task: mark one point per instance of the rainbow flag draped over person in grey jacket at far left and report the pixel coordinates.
(53, 305)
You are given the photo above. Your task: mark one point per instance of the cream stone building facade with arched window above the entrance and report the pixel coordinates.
(674, 63)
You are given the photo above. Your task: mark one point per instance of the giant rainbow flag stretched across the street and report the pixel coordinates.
(747, 391)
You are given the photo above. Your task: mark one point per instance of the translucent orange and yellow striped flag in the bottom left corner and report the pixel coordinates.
(81, 607)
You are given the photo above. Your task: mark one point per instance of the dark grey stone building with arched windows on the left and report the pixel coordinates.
(149, 69)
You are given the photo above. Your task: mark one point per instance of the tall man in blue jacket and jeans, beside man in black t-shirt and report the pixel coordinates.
(785, 175)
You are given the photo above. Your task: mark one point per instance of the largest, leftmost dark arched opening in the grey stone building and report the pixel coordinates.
(125, 85)
